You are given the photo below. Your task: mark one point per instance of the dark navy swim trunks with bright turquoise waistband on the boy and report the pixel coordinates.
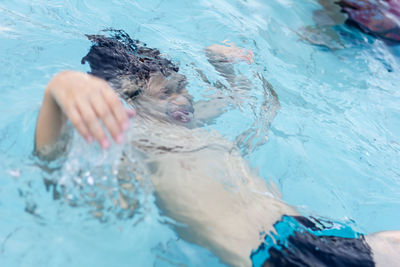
(301, 241)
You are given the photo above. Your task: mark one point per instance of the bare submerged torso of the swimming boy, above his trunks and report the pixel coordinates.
(203, 184)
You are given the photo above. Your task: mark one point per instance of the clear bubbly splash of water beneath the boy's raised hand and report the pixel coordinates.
(112, 182)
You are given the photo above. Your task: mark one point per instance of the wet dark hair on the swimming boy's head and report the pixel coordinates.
(116, 57)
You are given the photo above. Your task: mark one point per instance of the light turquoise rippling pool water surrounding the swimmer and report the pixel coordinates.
(333, 148)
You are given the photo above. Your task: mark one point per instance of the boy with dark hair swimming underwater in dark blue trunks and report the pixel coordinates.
(224, 210)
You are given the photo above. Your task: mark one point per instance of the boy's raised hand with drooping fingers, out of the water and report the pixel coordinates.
(86, 101)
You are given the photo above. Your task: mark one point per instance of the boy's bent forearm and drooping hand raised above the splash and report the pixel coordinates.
(84, 100)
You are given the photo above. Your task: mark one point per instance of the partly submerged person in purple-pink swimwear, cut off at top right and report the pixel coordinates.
(377, 18)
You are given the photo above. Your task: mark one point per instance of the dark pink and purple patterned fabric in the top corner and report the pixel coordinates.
(379, 17)
